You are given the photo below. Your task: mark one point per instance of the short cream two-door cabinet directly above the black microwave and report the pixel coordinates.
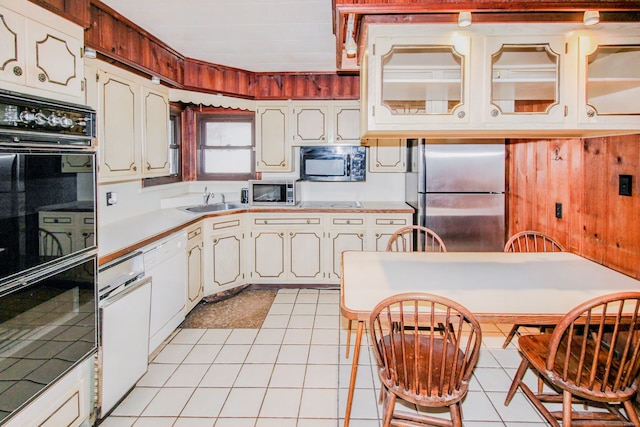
(327, 122)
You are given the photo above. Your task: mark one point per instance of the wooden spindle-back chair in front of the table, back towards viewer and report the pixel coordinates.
(419, 364)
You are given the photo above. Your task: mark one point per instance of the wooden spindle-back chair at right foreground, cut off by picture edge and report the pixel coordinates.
(589, 358)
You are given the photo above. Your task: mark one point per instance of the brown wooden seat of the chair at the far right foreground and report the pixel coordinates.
(536, 349)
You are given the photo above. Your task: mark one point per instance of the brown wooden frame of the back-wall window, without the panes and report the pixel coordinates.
(201, 120)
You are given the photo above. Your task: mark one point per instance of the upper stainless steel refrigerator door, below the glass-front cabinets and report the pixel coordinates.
(465, 168)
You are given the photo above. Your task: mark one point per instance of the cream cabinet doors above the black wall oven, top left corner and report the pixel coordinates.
(41, 53)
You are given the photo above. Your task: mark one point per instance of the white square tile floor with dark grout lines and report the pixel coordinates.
(292, 372)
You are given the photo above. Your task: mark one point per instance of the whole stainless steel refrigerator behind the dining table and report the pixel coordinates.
(457, 189)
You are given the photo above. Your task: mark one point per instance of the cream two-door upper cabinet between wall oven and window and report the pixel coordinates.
(133, 124)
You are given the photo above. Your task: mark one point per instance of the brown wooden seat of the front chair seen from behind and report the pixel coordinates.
(436, 385)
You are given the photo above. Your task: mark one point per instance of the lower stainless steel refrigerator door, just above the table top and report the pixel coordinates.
(466, 222)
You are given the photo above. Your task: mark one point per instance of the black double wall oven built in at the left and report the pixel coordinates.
(48, 244)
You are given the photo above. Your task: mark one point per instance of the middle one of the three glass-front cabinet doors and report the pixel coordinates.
(525, 79)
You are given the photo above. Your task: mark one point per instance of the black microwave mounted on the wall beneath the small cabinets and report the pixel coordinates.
(333, 163)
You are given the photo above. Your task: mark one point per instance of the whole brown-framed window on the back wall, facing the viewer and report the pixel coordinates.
(226, 147)
